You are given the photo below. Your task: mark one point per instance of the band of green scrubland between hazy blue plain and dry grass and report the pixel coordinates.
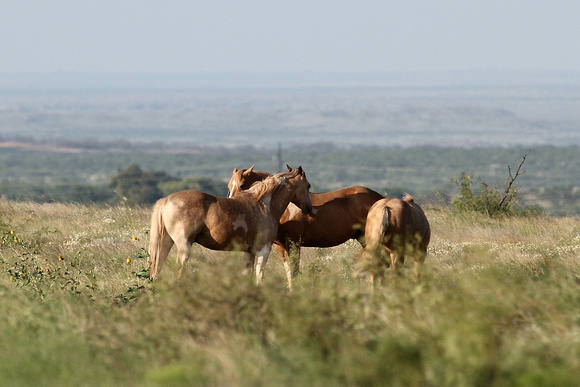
(550, 182)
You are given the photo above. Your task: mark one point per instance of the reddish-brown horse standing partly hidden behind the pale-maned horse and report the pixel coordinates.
(336, 217)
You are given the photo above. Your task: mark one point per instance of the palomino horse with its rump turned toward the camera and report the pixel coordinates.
(397, 227)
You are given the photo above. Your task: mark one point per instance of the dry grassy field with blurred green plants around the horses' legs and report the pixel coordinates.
(498, 305)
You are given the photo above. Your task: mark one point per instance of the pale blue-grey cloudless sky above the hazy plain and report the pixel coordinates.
(188, 36)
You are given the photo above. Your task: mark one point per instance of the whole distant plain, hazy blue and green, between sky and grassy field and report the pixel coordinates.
(412, 132)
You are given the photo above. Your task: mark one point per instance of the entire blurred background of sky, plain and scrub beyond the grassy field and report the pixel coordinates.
(128, 101)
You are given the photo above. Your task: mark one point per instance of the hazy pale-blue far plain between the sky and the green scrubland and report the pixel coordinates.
(398, 111)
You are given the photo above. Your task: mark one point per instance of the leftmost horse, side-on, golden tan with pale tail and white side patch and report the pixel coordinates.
(249, 222)
